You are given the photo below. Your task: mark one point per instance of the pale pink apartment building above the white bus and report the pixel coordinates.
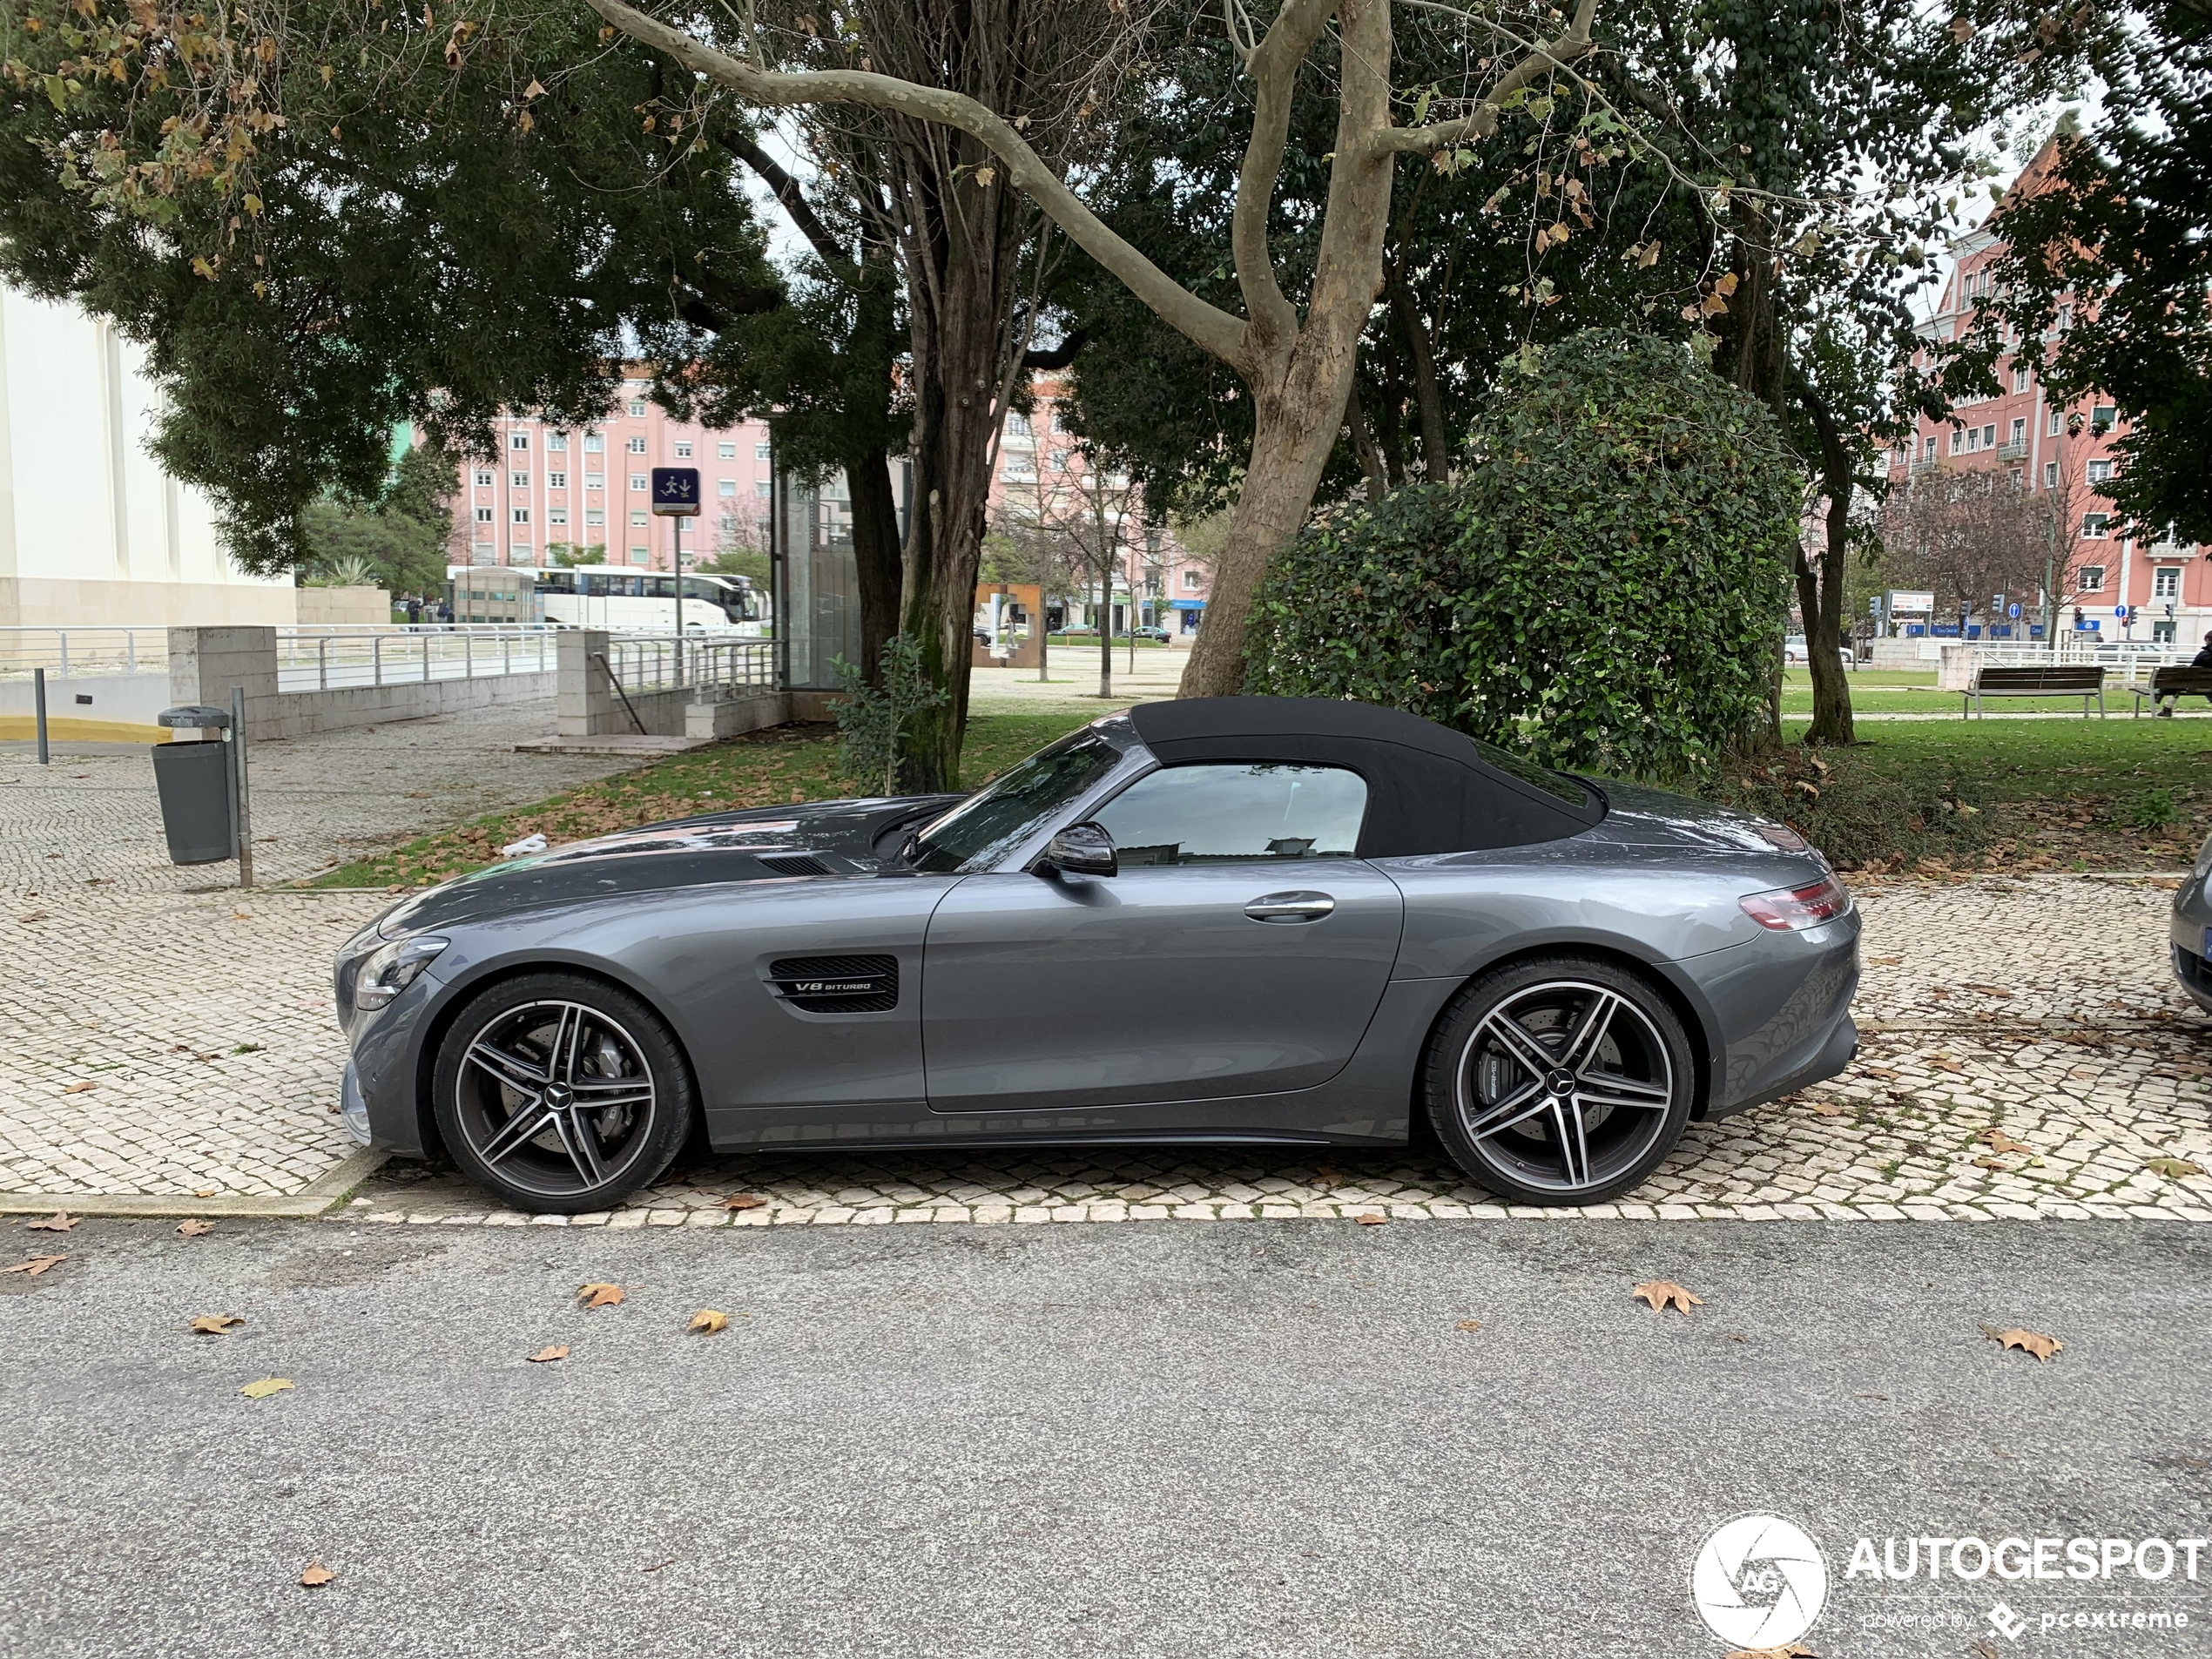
(589, 488)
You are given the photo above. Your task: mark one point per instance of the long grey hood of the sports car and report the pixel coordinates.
(822, 839)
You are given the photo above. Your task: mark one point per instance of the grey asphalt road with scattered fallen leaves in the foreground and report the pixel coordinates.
(1154, 1439)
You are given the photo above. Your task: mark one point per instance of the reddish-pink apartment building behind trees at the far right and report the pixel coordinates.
(2063, 448)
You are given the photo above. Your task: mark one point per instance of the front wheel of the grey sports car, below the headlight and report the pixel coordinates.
(589, 1065)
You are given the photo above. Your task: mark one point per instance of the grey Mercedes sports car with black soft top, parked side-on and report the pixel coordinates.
(1246, 919)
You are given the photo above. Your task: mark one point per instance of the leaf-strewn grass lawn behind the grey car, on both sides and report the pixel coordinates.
(1963, 795)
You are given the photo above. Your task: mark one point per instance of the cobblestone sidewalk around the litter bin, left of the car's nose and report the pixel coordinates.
(160, 1030)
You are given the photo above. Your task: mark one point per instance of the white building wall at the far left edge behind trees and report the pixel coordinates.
(92, 530)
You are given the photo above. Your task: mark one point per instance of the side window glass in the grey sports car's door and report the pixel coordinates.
(1238, 813)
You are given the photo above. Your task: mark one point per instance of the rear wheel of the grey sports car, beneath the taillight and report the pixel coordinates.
(1541, 1114)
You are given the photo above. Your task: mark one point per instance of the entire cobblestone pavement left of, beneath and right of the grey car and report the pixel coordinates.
(163, 1034)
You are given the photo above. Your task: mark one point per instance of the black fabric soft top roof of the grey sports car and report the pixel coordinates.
(1428, 789)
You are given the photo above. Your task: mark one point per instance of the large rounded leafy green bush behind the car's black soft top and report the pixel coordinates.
(1605, 587)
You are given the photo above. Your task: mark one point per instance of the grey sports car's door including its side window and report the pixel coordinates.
(1240, 950)
